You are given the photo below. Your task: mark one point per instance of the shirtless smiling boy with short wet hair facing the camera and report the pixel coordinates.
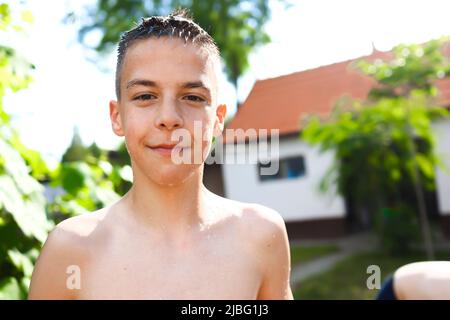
(168, 237)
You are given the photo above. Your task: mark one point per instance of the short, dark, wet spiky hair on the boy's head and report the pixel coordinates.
(178, 24)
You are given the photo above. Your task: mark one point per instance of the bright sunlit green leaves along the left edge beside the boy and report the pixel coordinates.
(27, 212)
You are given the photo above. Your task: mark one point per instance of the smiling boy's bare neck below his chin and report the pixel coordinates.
(175, 209)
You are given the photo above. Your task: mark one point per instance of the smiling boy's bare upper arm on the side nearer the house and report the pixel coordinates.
(275, 257)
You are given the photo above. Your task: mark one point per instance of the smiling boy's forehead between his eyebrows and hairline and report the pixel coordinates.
(170, 60)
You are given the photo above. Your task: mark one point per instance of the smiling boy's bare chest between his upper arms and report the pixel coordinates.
(214, 270)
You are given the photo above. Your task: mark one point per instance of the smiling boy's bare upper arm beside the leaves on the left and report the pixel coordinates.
(60, 253)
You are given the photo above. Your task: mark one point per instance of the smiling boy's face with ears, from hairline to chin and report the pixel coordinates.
(167, 86)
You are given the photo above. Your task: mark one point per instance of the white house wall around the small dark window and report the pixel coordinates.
(295, 199)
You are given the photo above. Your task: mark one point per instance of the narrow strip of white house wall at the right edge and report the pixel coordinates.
(442, 132)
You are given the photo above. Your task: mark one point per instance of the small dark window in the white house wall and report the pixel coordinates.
(289, 168)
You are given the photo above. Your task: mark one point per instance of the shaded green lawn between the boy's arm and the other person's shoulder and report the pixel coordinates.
(347, 279)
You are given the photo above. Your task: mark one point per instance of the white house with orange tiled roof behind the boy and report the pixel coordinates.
(280, 103)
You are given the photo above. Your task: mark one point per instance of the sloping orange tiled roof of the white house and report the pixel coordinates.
(280, 103)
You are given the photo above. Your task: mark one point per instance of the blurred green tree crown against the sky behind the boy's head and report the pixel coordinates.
(236, 25)
